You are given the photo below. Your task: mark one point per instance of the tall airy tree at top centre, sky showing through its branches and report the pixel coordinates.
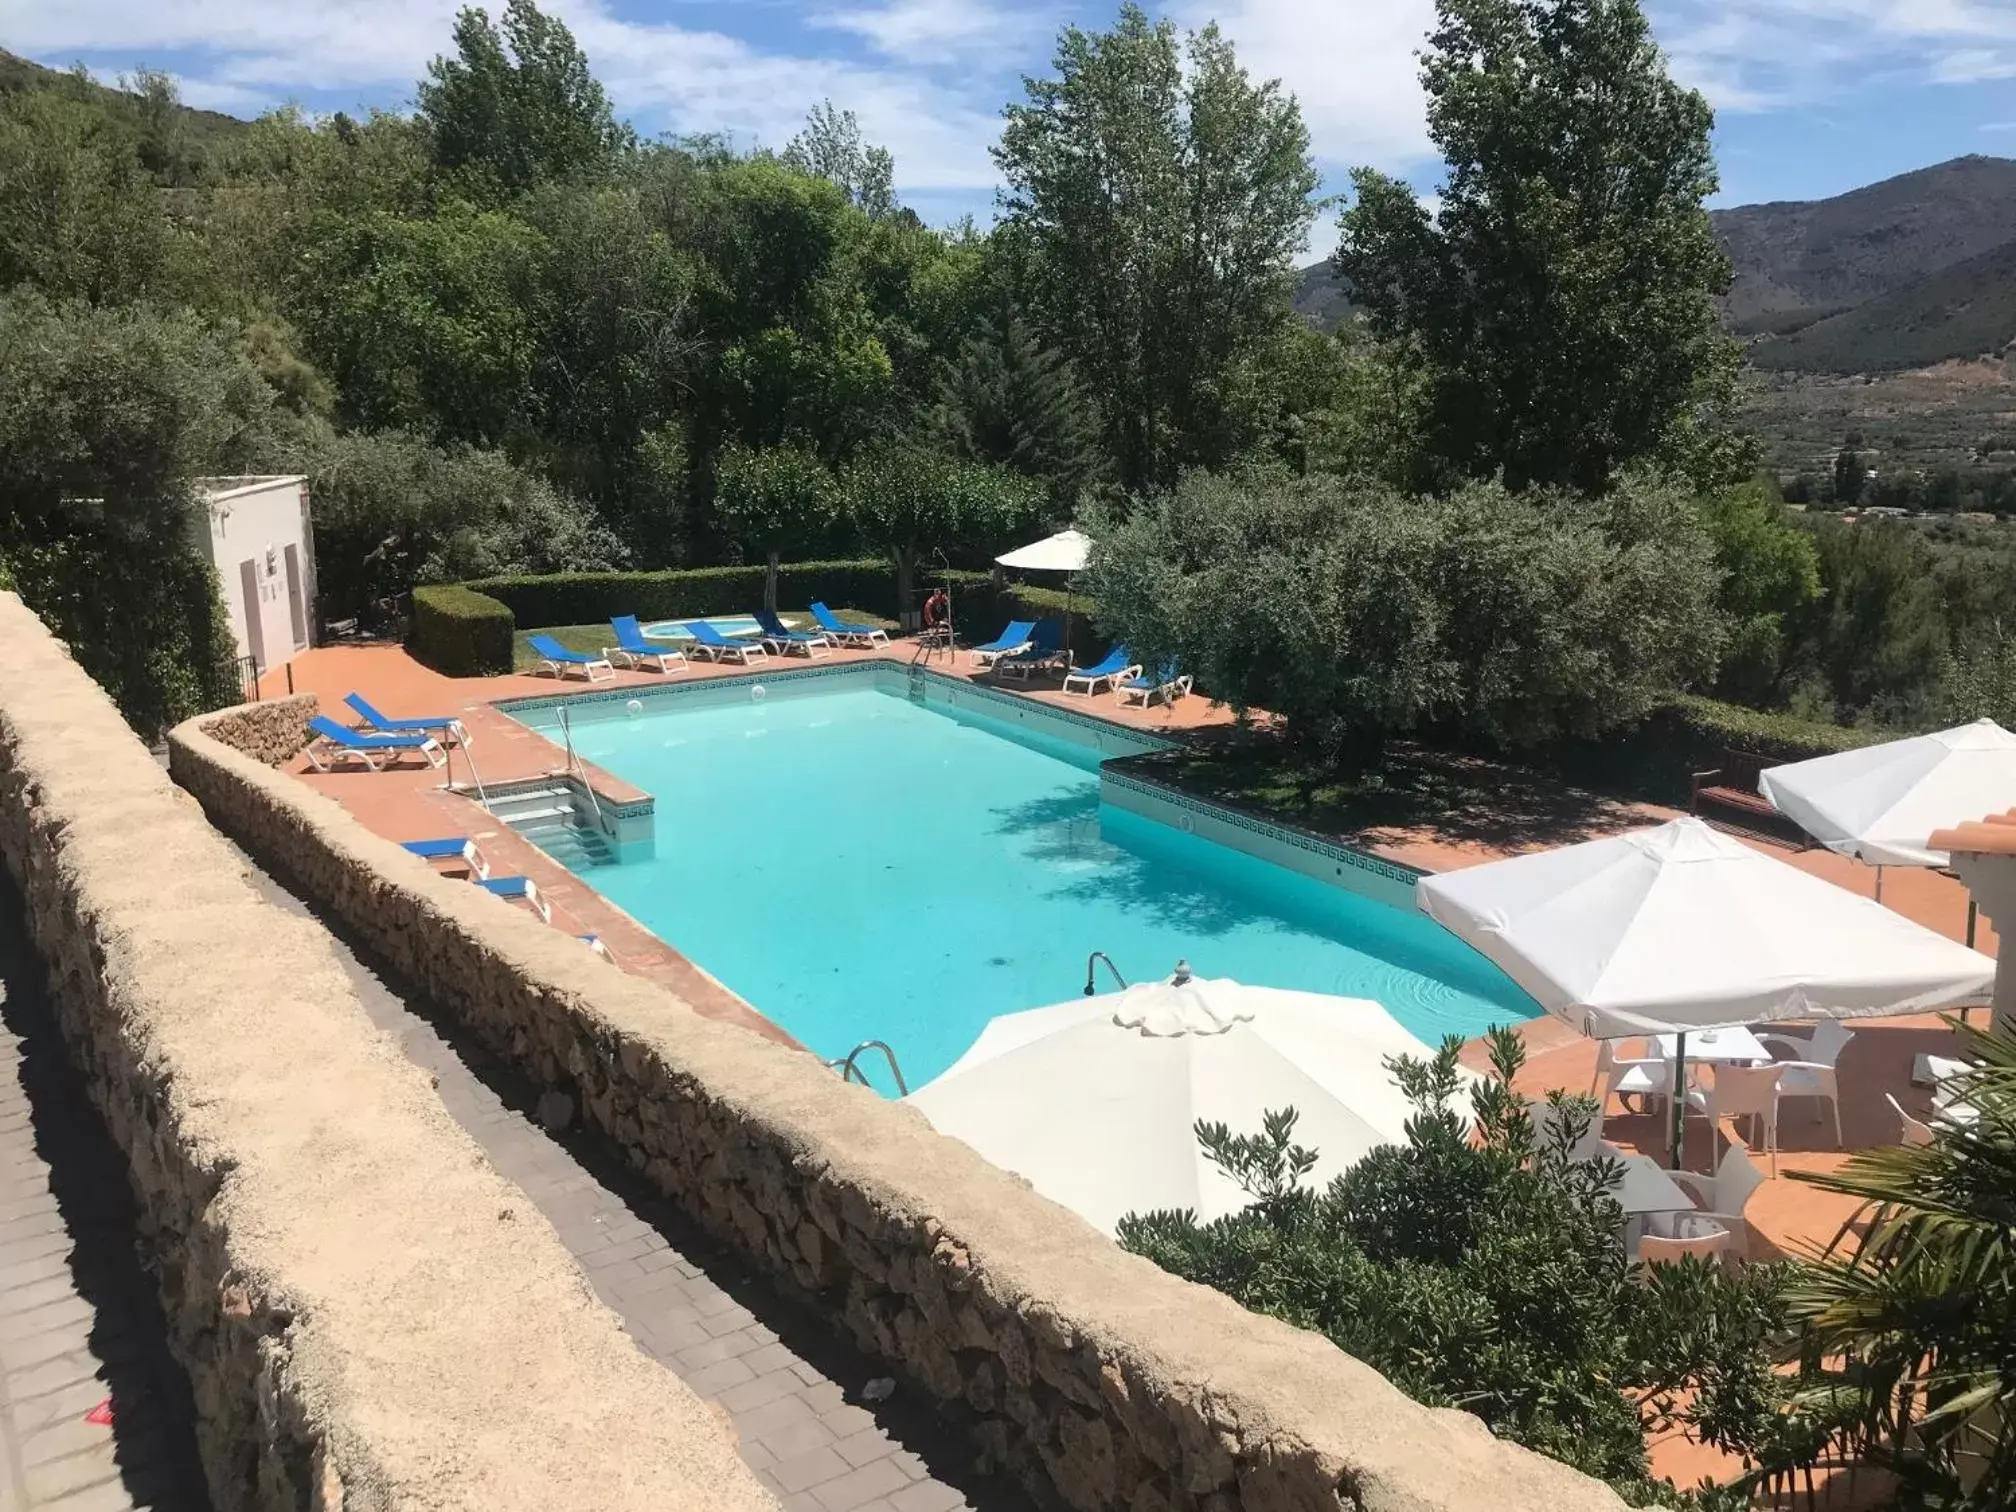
(1154, 211)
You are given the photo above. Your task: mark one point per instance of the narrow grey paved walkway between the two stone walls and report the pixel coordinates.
(795, 1398)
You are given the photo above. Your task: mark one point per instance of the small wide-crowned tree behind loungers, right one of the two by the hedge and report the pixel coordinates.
(910, 501)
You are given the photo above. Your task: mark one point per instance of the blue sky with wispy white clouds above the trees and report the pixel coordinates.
(1813, 96)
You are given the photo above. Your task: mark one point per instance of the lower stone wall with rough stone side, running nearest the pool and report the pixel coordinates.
(1090, 1374)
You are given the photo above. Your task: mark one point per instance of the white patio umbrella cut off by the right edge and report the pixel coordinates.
(1882, 803)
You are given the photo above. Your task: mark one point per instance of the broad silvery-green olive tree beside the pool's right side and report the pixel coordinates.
(1356, 612)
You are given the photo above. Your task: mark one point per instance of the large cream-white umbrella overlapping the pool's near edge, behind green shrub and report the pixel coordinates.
(1096, 1100)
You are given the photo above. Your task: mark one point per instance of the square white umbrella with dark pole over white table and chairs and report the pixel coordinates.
(1682, 928)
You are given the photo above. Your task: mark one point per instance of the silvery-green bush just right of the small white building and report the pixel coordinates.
(392, 511)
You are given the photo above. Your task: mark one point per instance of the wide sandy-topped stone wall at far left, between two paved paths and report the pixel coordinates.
(370, 1315)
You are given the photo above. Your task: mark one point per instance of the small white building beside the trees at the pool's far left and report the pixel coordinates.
(259, 539)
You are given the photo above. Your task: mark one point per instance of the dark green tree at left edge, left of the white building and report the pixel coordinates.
(106, 418)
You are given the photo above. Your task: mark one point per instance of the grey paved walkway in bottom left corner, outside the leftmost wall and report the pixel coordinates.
(80, 1321)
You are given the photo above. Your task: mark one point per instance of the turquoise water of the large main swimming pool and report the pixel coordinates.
(862, 866)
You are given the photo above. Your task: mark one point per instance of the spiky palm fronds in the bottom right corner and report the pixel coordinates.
(1910, 1315)
